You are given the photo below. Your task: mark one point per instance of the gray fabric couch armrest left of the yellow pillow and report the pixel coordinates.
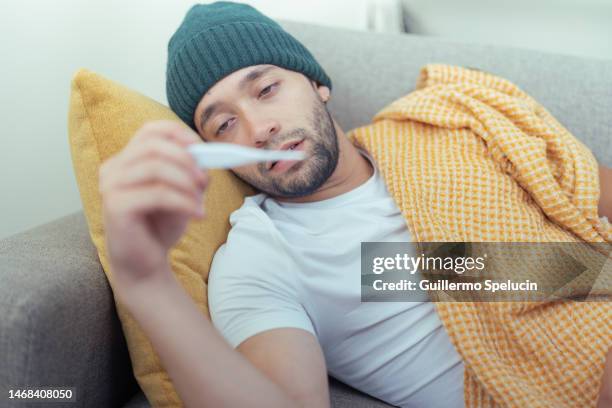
(58, 325)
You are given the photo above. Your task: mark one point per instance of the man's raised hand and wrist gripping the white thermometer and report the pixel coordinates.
(150, 190)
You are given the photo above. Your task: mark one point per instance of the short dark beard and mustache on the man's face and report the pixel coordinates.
(305, 177)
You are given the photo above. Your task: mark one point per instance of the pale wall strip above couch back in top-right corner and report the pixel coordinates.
(576, 27)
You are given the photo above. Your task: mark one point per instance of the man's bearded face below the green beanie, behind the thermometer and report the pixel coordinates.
(265, 106)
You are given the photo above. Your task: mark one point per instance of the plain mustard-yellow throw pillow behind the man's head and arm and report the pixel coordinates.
(103, 116)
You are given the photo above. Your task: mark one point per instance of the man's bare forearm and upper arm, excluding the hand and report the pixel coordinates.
(276, 368)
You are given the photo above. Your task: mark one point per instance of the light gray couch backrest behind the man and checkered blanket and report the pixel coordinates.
(369, 70)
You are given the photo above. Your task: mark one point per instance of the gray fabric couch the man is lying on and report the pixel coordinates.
(58, 324)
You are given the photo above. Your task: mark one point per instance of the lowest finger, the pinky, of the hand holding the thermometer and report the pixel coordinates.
(149, 199)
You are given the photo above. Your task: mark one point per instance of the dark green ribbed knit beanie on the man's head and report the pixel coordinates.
(217, 39)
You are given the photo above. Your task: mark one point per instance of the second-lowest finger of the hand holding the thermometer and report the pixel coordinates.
(160, 172)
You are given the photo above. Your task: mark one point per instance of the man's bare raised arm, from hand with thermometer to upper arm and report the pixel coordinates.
(150, 191)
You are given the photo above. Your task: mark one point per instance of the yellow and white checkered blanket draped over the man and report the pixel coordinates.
(470, 157)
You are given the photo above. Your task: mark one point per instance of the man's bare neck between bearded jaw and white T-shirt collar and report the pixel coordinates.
(352, 170)
